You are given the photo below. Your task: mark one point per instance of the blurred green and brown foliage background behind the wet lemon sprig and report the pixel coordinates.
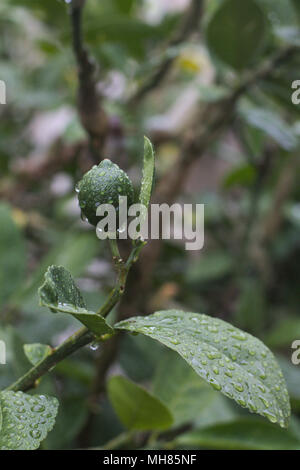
(210, 83)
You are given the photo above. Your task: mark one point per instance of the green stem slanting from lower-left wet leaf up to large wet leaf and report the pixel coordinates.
(79, 339)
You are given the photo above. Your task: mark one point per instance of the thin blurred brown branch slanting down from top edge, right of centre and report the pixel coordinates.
(188, 26)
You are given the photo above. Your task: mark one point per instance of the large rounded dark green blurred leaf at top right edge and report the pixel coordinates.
(236, 32)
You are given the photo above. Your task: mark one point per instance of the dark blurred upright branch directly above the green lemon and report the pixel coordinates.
(92, 115)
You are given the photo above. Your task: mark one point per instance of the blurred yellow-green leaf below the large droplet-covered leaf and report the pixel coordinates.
(137, 408)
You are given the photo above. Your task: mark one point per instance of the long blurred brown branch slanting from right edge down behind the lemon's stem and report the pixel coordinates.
(211, 121)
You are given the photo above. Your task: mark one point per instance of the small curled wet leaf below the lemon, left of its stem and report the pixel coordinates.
(60, 294)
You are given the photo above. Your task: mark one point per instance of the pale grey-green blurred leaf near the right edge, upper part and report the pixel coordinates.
(271, 124)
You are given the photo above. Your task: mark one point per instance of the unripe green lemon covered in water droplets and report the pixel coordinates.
(103, 184)
